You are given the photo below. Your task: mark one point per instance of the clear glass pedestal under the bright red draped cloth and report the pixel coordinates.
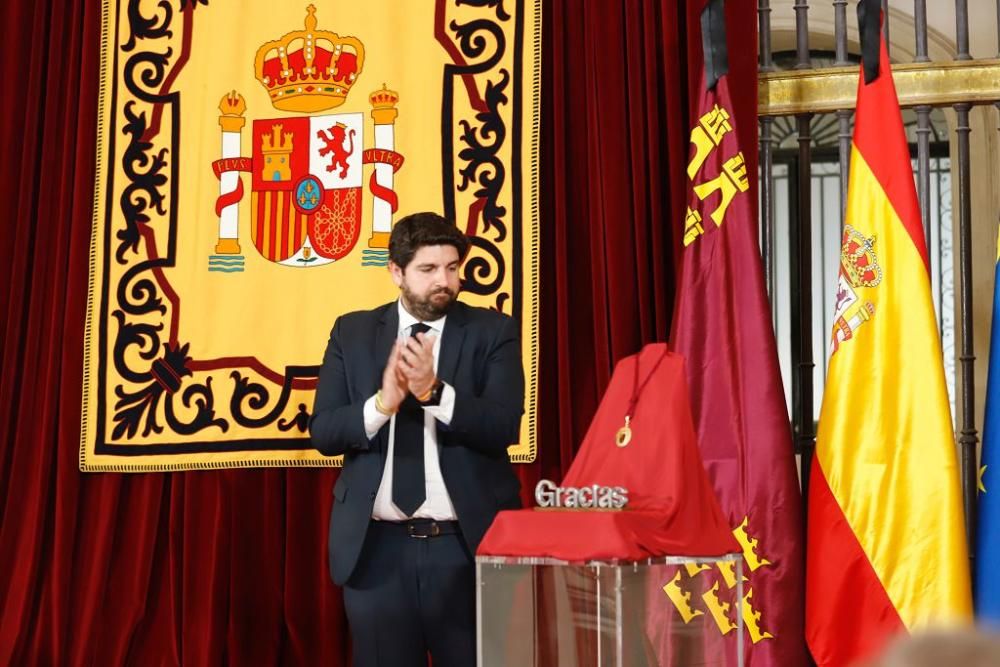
(672, 611)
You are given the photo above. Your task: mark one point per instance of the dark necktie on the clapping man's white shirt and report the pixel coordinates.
(408, 484)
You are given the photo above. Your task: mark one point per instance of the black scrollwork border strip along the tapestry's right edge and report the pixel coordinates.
(480, 168)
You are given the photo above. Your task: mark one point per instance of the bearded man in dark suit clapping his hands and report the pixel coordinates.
(422, 396)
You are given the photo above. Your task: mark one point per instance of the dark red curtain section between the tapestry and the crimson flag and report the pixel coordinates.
(614, 149)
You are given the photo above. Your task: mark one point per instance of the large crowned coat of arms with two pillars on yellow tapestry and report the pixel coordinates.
(306, 171)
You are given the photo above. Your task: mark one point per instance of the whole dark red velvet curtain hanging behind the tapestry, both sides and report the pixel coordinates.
(229, 567)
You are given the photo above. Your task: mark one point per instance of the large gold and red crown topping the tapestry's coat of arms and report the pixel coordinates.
(309, 70)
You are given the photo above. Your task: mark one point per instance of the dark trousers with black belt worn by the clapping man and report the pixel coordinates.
(410, 596)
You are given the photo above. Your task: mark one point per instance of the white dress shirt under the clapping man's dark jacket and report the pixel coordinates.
(437, 504)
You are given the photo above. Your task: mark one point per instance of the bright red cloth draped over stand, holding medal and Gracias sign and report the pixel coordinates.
(671, 510)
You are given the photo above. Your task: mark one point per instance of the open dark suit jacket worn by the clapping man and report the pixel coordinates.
(480, 358)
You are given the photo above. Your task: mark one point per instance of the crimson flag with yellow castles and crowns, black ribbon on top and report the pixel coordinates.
(722, 326)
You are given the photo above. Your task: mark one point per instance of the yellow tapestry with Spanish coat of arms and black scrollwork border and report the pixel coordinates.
(253, 157)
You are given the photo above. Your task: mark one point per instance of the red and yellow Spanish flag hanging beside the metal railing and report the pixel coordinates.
(886, 552)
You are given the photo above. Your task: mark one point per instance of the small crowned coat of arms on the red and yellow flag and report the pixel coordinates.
(859, 268)
